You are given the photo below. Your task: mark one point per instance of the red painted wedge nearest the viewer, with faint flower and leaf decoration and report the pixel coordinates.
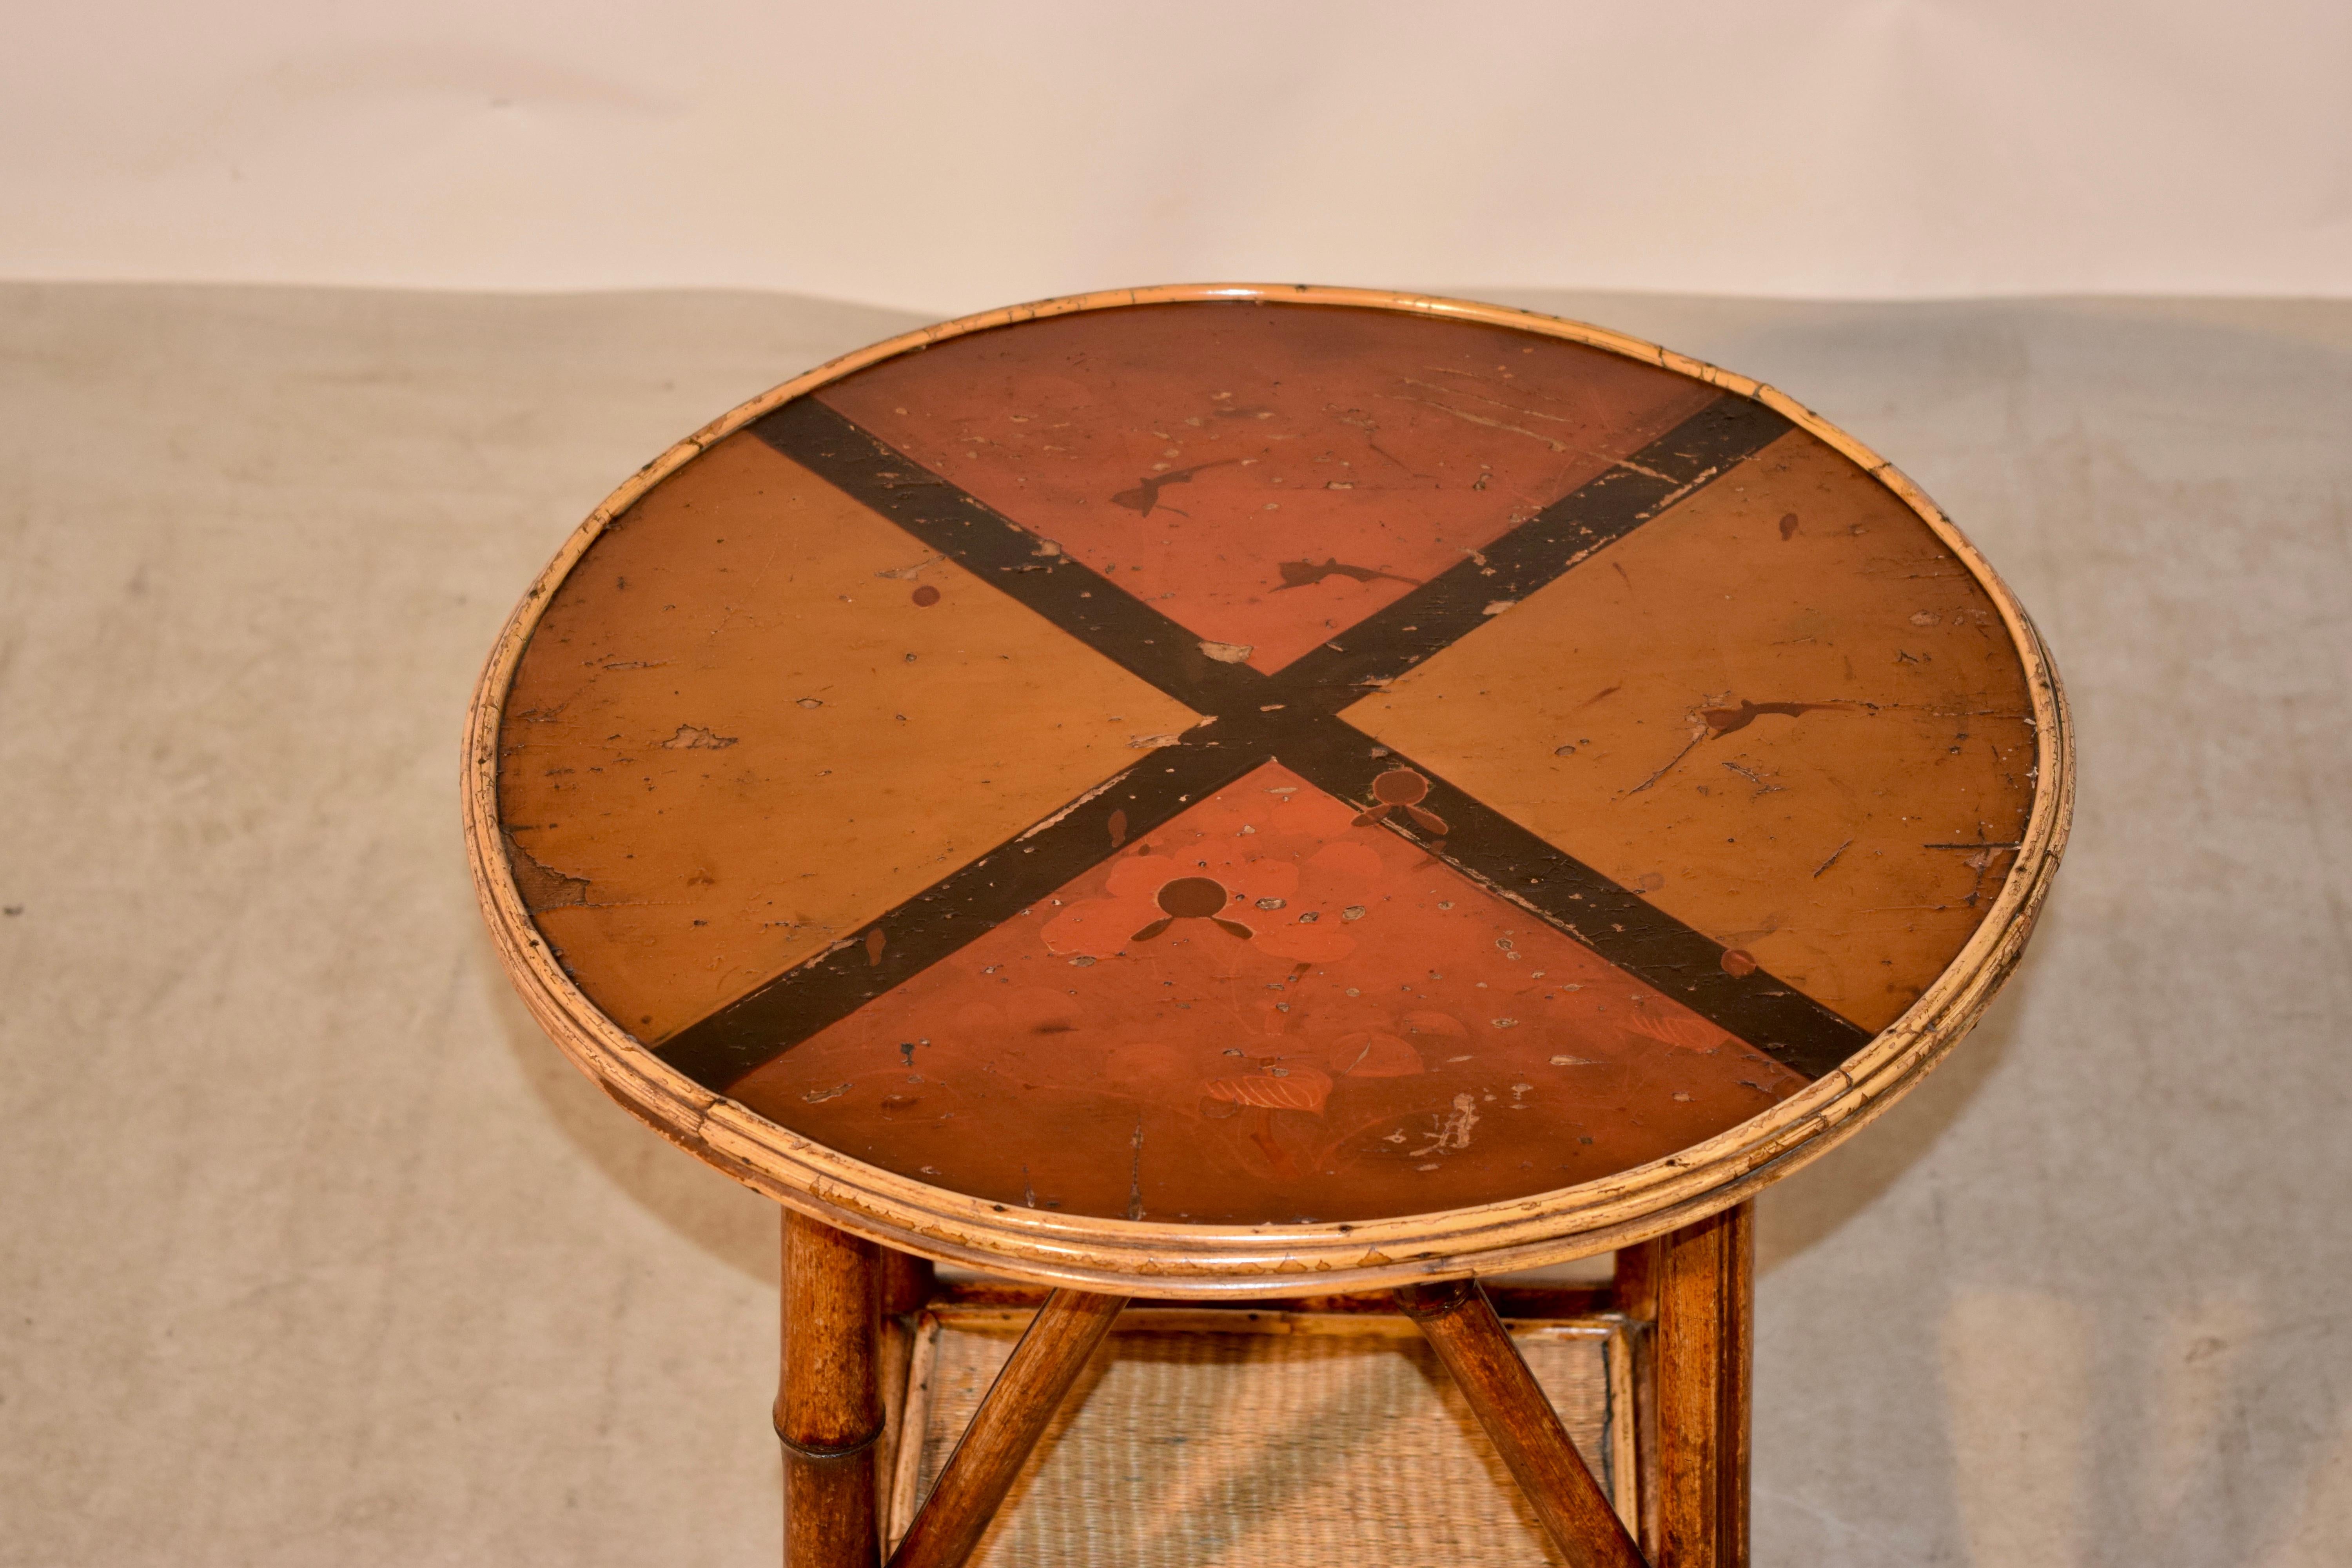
(1259, 1014)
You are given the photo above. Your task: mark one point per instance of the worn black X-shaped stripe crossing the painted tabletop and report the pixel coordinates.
(1288, 716)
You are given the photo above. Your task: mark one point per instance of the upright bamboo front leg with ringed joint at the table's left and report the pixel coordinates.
(829, 1407)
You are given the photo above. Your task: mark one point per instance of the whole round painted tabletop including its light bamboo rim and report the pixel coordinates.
(1222, 784)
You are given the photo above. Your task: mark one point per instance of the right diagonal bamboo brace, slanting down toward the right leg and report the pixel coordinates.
(1509, 1402)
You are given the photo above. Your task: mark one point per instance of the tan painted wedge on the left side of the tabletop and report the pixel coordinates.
(759, 716)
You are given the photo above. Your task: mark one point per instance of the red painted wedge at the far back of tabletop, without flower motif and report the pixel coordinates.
(1267, 476)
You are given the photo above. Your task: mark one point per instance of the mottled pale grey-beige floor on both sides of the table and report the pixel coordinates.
(314, 1252)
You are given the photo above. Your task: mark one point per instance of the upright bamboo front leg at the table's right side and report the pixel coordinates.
(1706, 1306)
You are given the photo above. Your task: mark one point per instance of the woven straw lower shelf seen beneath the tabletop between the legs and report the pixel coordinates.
(1205, 1438)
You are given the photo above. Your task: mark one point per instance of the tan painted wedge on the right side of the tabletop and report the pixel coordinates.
(1784, 711)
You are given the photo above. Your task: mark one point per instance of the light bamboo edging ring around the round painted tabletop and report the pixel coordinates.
(1264, 1261)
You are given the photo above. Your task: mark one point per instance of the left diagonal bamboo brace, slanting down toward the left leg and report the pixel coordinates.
(1008, 1428)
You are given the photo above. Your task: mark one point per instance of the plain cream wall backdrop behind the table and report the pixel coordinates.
(956, 156)
